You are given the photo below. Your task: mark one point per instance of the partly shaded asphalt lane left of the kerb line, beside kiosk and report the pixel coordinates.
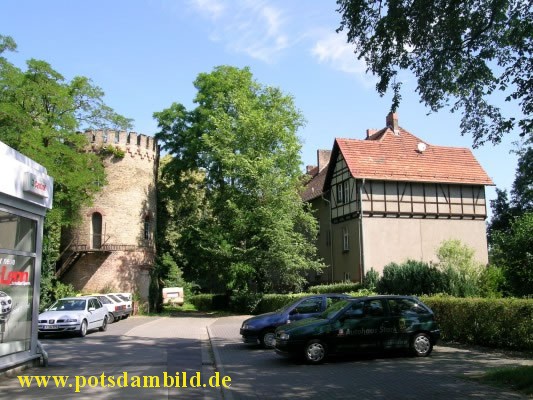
(139, 346)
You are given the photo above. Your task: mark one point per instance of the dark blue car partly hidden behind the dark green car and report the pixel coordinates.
(260, 329)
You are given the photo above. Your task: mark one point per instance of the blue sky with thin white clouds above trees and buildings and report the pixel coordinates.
(145, 54)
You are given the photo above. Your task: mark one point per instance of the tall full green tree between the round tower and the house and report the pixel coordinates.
(248, 230)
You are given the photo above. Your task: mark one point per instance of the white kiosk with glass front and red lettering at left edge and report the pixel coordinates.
(26, 193)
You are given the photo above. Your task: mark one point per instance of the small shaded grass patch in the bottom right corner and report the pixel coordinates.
(518, 378)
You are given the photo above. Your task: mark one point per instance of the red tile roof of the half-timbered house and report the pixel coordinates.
(389, 156)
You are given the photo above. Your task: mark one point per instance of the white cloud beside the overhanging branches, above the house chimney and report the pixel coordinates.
(333, 50)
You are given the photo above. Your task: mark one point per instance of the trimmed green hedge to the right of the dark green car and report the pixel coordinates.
(502, 323)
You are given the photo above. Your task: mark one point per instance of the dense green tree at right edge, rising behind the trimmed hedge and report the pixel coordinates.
(513, 250)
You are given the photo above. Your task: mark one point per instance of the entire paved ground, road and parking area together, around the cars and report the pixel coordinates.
(151, 346)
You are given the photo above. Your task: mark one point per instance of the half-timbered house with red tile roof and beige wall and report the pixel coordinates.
(393, 197)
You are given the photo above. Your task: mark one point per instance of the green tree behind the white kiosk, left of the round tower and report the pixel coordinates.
(40, 116)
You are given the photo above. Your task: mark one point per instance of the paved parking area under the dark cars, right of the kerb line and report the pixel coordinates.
(262, 374)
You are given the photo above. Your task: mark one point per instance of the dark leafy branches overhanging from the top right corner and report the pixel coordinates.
(463, 53)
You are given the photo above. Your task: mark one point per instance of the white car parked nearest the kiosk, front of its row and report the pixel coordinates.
(75, 315)
